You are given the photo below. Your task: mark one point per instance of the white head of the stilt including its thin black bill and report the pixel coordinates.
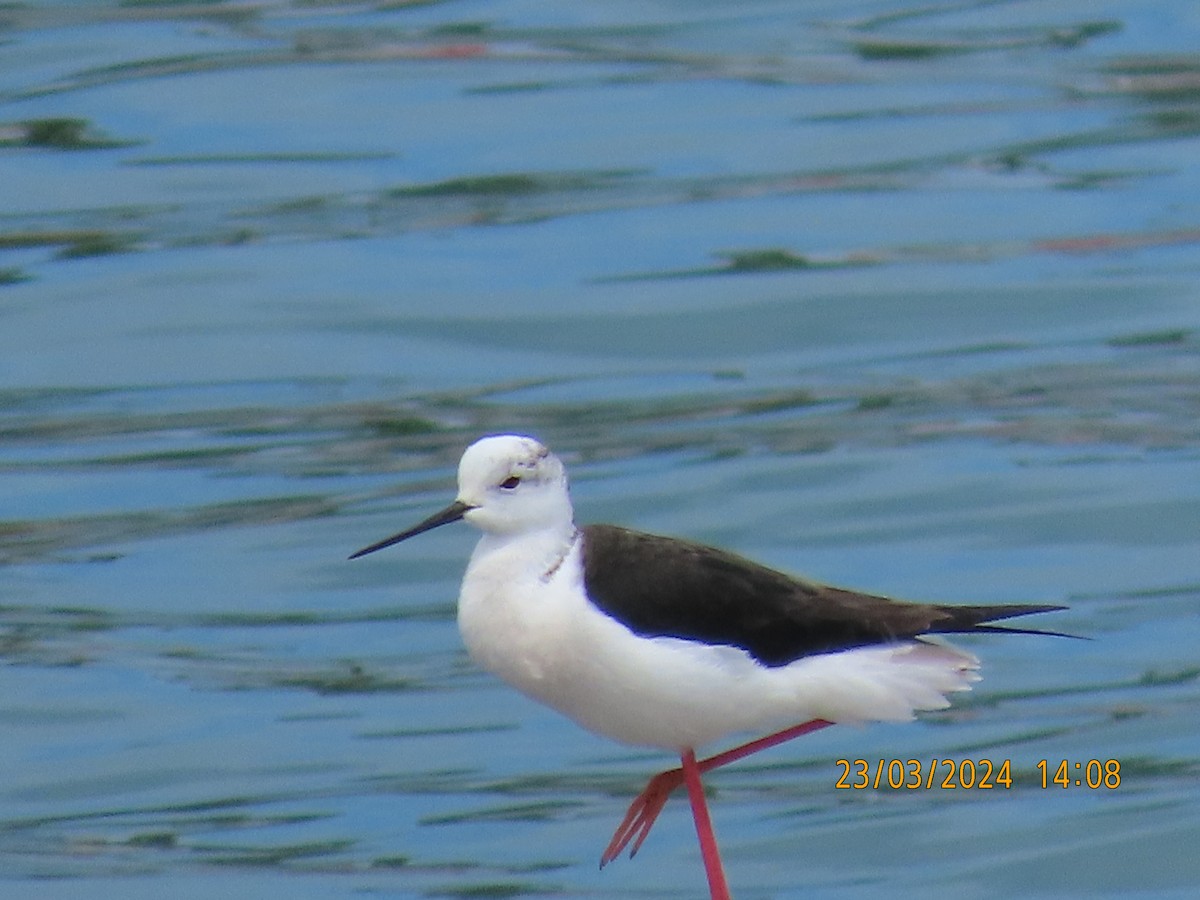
(508, 484)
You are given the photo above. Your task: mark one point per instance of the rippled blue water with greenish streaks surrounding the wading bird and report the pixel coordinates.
(902, 297)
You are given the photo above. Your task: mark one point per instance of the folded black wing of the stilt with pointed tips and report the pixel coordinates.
(662, 587)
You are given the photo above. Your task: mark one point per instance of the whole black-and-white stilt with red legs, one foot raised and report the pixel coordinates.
(661, 643)
